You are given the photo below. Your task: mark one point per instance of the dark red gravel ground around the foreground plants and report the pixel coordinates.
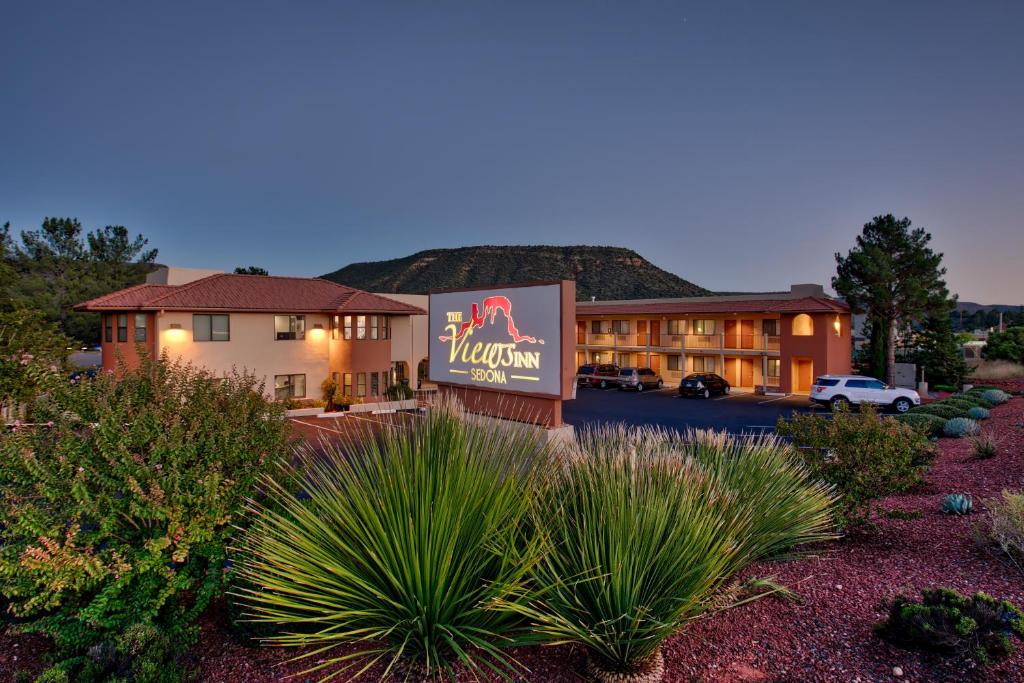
(826, 637)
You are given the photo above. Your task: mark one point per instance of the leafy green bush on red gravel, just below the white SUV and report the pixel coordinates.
(863, 455)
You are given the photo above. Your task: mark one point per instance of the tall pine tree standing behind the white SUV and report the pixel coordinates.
(893, 277)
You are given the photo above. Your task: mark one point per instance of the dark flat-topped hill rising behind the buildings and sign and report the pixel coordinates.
(604, 273)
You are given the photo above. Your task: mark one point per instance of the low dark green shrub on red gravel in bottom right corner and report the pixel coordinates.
(978, 628)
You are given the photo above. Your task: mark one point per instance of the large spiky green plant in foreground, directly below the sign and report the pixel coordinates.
(410, 547)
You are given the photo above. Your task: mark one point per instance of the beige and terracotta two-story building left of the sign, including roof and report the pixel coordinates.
(292, 333)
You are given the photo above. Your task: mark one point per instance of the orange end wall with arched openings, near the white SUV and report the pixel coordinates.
(829, 353)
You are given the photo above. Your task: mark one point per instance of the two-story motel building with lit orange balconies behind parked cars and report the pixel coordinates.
(778, 341)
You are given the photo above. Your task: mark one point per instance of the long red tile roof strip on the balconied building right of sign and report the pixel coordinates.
(696, 306)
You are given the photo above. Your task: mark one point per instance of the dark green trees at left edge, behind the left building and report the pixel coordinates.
(57, 268)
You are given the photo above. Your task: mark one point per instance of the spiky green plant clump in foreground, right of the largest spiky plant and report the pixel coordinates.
(644, 527)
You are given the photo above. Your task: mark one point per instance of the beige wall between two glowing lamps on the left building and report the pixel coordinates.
(252, 349)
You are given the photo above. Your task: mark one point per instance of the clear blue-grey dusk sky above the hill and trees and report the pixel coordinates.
(739, 145)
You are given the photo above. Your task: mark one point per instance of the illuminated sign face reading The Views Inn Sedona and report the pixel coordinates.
(506, 339)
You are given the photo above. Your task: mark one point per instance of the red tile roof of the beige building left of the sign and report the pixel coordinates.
(251, 293)
